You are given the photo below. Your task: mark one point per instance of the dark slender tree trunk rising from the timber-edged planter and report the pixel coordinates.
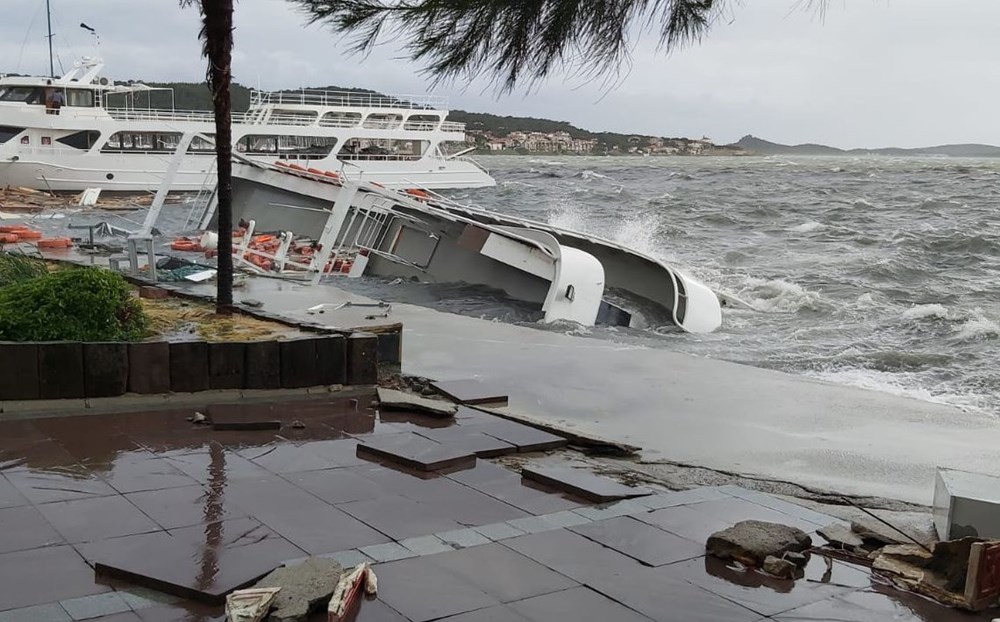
(218, 22)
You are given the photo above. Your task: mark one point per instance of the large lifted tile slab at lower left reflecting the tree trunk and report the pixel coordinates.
(202, 563)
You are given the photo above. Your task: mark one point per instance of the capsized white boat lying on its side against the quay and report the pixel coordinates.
(319, 224)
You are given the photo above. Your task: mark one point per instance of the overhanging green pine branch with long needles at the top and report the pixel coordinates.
(517, 40)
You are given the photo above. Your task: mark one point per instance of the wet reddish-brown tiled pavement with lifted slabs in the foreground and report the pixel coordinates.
(147, 517)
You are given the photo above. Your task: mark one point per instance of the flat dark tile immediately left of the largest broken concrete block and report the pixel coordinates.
(649, 545)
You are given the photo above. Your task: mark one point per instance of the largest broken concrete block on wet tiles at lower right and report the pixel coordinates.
(750, 542)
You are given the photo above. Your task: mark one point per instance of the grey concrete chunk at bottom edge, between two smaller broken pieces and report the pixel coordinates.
(305, 587)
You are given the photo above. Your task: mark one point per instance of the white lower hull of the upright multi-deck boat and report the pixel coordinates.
(145, 173)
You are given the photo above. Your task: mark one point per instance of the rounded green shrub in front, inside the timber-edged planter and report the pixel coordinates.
(78, 304)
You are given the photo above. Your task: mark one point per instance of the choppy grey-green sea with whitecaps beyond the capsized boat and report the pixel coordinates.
(876, 272)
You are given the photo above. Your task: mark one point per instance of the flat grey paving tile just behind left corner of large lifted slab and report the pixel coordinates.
(86, 520)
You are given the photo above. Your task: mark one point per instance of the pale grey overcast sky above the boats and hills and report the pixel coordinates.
(871, 73)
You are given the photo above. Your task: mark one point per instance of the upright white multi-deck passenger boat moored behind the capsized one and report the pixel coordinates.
(109, 136)
